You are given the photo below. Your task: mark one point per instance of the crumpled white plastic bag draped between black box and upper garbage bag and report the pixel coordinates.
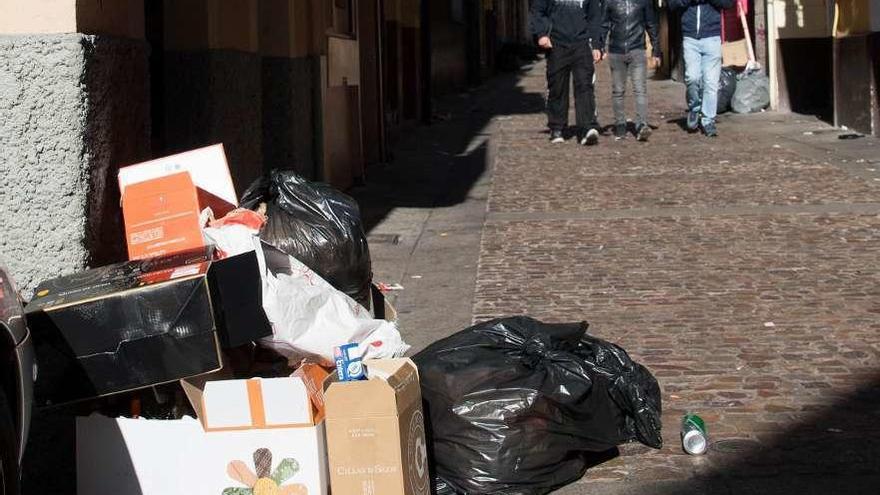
(309, 317)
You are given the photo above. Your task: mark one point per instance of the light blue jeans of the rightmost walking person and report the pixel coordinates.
(702, 72)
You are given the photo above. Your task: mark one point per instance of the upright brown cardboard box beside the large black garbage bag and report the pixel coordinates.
(376, 432)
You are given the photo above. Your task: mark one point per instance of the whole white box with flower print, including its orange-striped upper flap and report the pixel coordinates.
(252, 454)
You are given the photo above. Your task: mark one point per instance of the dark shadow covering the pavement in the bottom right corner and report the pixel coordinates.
(836, 449)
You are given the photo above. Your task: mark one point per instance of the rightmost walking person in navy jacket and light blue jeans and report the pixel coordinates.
(701, 28)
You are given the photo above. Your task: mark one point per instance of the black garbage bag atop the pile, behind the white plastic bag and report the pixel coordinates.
(318, 225)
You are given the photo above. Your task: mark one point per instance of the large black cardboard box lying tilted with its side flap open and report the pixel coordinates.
(141, 323)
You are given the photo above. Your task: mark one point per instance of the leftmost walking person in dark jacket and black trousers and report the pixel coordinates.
(565, 29)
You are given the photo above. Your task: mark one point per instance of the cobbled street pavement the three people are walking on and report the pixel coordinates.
(741, 270)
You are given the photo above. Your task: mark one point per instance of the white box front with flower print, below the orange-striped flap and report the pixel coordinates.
(156, 457)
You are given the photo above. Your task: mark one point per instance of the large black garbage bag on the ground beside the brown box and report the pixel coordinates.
(515, 405)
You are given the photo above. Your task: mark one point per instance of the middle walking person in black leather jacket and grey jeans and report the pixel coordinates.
(625, 24)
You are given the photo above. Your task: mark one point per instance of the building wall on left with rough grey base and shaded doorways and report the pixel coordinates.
(320, 86)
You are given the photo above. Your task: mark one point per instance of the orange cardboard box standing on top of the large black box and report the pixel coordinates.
(161, 217)
